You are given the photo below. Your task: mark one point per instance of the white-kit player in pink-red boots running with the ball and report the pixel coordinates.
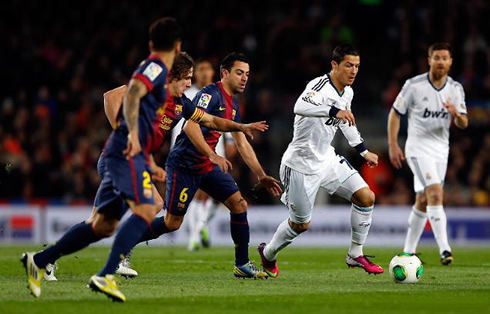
(310, 162)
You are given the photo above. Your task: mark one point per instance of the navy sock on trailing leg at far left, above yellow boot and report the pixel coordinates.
(76, 238)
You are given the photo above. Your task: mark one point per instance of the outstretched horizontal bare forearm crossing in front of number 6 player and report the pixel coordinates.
(225, 125)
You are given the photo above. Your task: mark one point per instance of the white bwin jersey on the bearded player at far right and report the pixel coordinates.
(428, 120)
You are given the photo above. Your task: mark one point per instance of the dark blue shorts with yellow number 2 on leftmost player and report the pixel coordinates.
(122, 179)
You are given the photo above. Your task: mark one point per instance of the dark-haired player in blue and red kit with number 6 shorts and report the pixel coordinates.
(190, 168)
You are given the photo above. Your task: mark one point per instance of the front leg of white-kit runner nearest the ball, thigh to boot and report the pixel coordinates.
(346, 182)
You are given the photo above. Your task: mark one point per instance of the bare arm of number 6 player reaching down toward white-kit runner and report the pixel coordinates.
(248, 154)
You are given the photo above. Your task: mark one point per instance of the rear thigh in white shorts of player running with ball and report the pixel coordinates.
(299, 195)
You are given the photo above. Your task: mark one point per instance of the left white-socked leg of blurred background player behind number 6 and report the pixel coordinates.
(196, 217)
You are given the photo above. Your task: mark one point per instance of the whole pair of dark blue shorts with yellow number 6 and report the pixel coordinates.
(182, 186)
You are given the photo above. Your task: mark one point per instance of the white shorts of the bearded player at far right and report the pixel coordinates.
(426, 172)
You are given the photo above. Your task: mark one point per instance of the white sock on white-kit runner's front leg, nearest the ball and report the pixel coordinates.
(360, 221)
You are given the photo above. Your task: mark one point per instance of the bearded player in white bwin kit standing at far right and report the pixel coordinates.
(432, 100)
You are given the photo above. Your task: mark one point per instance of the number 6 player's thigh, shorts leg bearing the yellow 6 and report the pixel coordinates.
(181, 188)
